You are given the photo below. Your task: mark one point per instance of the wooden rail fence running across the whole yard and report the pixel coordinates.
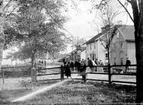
(57, 73)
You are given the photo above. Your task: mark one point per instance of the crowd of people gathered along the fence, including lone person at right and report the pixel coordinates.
(81, 67)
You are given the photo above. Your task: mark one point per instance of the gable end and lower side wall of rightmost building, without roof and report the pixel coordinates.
(120, 50)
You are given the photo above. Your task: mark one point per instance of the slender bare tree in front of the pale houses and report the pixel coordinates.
(108, 21)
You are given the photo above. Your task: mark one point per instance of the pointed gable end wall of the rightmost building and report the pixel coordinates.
(118, 50)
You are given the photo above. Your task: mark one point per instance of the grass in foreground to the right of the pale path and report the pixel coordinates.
(75, 92)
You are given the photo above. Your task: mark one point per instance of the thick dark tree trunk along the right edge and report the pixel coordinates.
(139, 57)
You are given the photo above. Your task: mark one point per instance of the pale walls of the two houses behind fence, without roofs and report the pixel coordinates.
(120, 50)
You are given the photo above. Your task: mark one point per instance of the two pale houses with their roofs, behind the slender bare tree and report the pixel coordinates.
(121, 47)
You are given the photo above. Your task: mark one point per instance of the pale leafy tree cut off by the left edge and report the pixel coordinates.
(6, 18)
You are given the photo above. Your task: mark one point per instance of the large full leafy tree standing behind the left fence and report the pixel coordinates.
(37, 33)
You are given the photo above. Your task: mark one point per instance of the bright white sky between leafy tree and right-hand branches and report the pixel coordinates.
(84, 21)
